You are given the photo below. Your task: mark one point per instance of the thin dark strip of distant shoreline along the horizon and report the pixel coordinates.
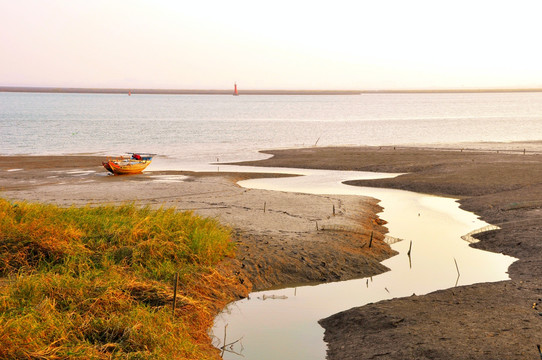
(246, 92)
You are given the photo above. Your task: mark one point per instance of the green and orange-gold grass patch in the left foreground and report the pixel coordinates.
(96, 282)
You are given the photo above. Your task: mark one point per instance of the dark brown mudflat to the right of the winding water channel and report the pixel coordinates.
(483, 321)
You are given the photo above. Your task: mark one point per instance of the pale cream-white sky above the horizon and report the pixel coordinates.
(277, 44)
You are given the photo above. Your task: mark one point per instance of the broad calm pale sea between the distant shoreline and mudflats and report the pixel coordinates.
(204, 127)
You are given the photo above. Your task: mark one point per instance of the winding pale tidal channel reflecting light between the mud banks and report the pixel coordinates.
(284, 325)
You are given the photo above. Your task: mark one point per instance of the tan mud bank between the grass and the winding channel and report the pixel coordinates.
(276, 246)
